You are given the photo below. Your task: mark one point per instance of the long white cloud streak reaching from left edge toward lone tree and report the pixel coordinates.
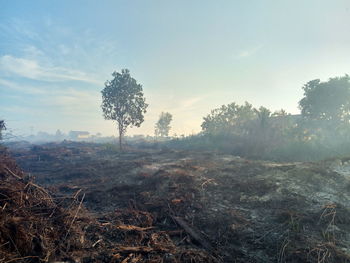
(29, 68)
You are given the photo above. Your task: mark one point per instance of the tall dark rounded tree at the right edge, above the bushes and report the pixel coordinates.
(325, 108)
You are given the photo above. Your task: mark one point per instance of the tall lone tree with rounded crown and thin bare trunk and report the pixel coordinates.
(123, 101)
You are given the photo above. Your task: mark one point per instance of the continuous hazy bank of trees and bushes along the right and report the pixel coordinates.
(320, 131)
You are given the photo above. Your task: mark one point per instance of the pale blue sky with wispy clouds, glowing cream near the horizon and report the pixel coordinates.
(190, 56)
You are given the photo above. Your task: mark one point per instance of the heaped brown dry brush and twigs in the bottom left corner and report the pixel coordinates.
(33, 226)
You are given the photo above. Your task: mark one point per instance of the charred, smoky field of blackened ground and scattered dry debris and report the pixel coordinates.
(177, 206)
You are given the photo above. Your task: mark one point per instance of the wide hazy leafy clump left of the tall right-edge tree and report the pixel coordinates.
(245, 130)
